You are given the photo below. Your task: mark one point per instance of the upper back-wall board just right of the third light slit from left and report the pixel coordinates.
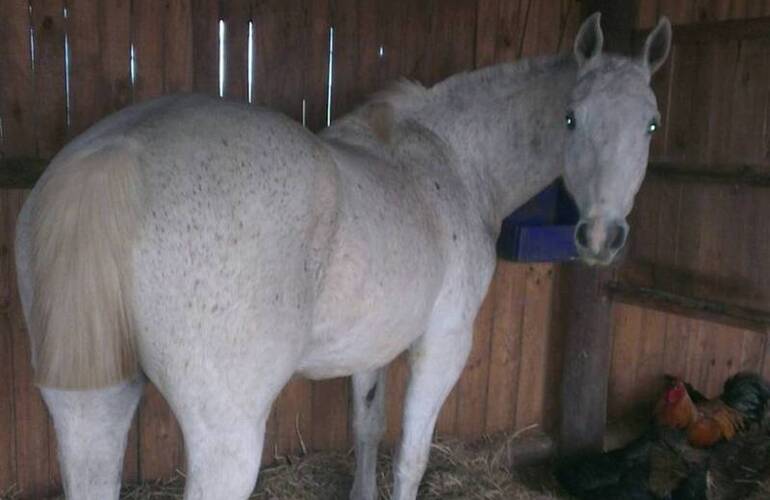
(147, 23)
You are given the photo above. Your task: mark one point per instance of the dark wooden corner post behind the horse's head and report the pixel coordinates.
(587, 347)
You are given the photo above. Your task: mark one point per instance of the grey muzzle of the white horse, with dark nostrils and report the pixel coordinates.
(599, 240)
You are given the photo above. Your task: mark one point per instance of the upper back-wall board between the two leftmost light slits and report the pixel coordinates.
(51, 101)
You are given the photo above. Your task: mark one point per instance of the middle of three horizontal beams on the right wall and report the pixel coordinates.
(746, 175)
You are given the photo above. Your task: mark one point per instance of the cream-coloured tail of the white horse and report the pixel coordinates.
(83, 222)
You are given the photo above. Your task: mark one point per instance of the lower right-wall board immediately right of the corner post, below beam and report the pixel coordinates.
(627, 331)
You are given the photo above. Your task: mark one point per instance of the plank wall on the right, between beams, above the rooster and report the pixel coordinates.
(692, 236)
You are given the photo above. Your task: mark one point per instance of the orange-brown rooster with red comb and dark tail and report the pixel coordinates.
(707, 422)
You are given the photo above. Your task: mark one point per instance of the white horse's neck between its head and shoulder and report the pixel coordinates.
(505, 126)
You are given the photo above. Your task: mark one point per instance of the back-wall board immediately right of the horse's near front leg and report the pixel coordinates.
(472, 386)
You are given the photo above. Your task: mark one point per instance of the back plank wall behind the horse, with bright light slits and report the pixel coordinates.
(512, 376)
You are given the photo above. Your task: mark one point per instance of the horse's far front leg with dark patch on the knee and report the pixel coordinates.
(368, 426)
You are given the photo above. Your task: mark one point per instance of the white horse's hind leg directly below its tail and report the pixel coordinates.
(91, 432)
